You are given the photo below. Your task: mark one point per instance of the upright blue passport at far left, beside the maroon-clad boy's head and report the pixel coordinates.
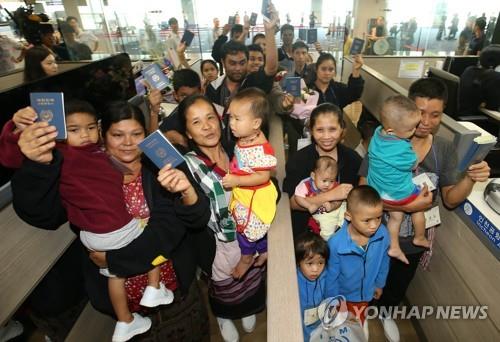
(50, 108)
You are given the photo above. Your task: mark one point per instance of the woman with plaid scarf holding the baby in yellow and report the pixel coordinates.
(208, 160)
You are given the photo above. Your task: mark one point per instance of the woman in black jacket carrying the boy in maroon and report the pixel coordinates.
(169, 235)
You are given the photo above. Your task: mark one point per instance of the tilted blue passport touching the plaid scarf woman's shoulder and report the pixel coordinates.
(161, 152)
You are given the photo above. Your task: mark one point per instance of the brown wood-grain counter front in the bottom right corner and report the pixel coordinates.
(463, 271)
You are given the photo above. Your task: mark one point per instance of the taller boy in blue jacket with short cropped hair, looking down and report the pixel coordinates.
(358, 262)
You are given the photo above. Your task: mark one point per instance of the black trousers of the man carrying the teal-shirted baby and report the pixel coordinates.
(399, 278)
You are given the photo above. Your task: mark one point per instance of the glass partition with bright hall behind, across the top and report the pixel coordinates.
(142, 29)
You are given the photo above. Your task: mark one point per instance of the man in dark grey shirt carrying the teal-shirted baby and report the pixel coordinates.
(436, 159)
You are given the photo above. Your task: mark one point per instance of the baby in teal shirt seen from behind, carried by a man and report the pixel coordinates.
(391, 160)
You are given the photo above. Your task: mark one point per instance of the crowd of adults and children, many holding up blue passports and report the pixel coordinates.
(146, 233)
